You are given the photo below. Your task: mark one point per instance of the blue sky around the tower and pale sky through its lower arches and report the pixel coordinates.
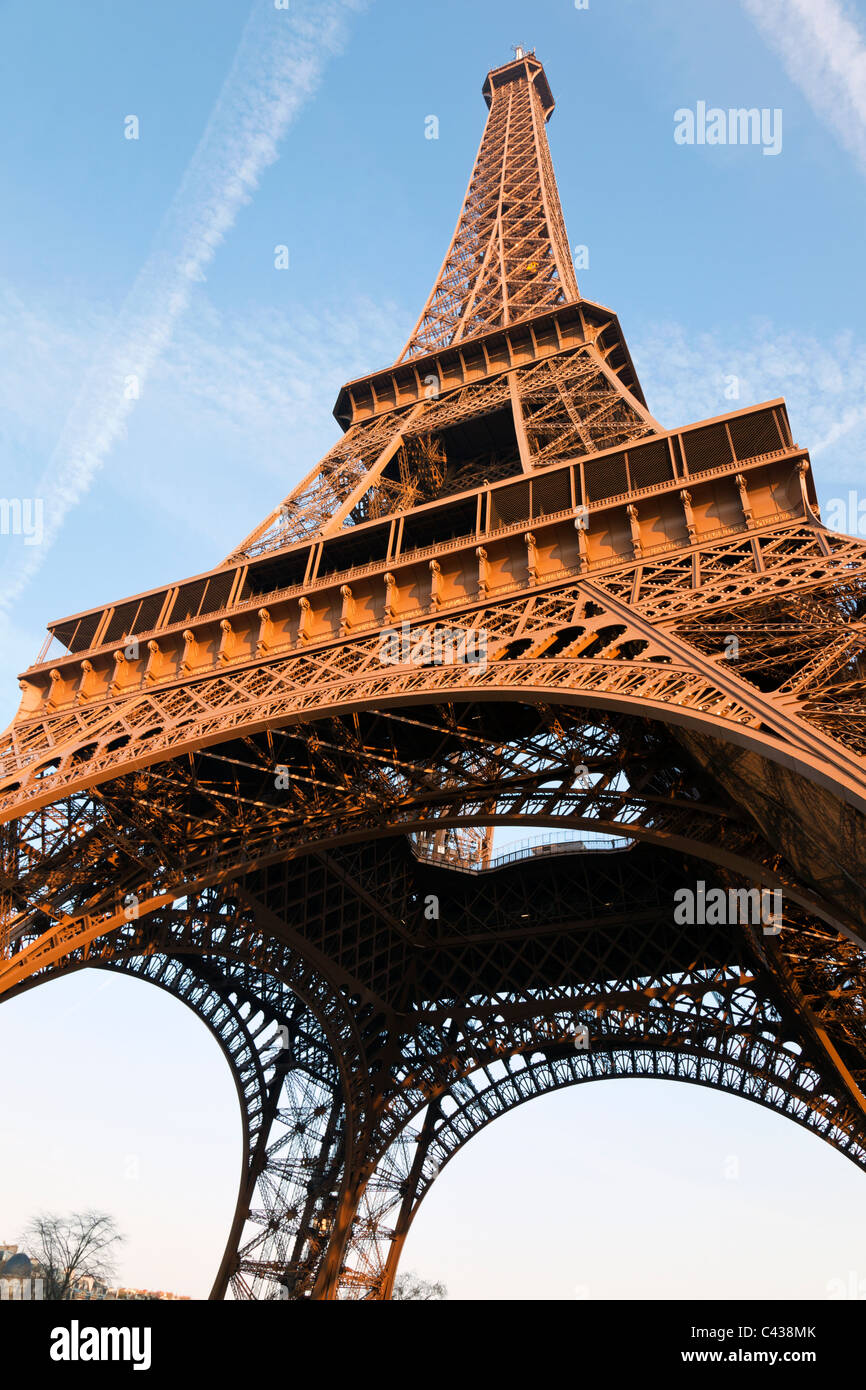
(156, 256)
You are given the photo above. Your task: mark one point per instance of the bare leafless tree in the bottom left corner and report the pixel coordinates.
(72, 1248)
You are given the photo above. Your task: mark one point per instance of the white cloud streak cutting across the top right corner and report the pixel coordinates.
(824, 51)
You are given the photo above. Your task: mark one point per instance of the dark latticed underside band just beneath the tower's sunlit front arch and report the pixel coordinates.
(174, 829)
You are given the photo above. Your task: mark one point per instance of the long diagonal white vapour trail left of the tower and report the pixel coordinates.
(277, 69)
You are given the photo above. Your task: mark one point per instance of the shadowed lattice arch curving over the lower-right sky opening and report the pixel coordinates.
(698, 1020)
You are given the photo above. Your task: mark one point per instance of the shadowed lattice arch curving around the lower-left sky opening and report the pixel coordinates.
(300, 1100)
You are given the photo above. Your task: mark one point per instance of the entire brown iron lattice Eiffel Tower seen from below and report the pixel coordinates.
(507, 597)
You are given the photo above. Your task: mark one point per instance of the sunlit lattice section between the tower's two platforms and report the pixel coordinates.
(525, 418)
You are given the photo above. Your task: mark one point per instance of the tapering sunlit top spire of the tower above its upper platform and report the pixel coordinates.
(509, 256)
